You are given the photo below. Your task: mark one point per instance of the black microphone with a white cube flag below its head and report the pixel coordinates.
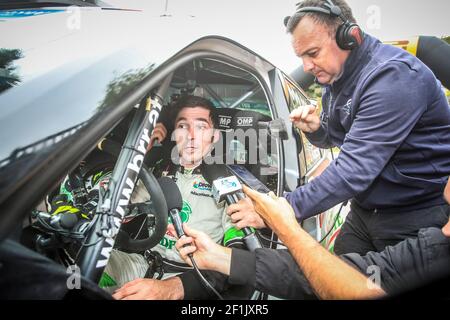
(226, 187)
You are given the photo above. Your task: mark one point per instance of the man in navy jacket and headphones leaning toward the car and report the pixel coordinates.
(388, 114)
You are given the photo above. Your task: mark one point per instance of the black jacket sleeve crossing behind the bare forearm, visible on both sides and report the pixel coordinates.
(408, 264)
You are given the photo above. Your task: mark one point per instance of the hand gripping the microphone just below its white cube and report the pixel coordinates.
(243, 215)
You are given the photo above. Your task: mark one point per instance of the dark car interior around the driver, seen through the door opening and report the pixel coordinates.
(247, 139)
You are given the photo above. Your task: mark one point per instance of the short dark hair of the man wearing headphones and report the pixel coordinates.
(324, 19)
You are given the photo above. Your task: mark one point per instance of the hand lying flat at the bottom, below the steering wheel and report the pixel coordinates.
(151, 289)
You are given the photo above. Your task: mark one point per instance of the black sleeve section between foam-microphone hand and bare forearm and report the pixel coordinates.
(271, 271)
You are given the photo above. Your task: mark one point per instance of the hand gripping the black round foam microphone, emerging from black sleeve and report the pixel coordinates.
(208, 255)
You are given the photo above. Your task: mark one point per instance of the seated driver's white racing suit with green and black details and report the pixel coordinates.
(200, 211)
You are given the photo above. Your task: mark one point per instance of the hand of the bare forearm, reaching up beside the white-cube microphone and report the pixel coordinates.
(276, 212)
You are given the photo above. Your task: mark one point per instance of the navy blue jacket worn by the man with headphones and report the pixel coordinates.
(390, 117)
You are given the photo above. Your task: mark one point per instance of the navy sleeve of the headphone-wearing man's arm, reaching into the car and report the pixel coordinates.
(388, 111)
